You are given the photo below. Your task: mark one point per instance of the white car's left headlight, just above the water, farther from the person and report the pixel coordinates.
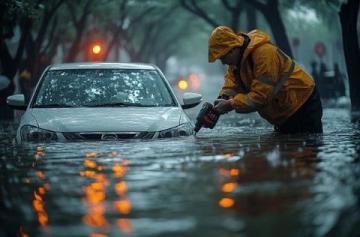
(32, 133)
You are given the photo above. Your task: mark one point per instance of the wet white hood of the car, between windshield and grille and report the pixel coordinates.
(148, 119)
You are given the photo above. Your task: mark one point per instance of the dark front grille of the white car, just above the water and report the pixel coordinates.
(107, 136)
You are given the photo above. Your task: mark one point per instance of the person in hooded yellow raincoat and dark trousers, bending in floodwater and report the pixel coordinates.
(261, 77)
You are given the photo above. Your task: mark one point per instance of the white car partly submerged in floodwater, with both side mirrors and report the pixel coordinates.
(102, 101)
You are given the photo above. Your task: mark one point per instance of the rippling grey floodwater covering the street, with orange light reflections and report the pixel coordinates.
(239, 179)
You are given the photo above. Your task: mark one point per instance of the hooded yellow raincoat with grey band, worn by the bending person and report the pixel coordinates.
(268, 81)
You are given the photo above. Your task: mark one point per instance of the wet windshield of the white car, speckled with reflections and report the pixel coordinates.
(103, 88)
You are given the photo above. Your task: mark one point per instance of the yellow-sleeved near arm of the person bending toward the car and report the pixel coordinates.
(266, 71)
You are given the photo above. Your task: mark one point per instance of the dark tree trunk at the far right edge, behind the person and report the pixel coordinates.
(348, 18)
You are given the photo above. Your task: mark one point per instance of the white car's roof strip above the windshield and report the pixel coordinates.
(66, 66)
